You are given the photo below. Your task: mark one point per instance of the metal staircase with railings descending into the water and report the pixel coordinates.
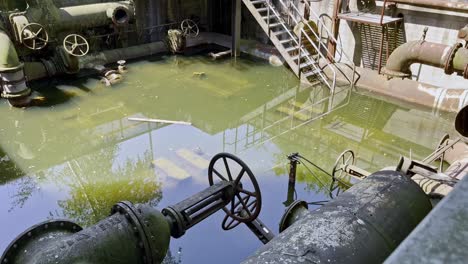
(300, 45)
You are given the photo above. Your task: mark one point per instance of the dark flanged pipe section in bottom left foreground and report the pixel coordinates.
(132, 234)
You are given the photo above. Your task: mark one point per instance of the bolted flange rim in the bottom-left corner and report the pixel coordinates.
(61, 228)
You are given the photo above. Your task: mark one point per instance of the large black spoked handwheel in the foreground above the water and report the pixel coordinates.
(246, 203)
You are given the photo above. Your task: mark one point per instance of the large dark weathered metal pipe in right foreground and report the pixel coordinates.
(363, 225)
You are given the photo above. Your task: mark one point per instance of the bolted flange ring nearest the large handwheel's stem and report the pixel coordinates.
(126, 208)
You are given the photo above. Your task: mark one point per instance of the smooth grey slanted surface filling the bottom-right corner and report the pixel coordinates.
(442, 236)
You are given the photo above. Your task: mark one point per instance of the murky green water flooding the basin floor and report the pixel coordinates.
(77, 154)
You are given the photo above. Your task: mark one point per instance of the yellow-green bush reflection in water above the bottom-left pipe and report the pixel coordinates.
(93, 194)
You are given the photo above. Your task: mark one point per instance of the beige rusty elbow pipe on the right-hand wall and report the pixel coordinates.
(427, 53)
